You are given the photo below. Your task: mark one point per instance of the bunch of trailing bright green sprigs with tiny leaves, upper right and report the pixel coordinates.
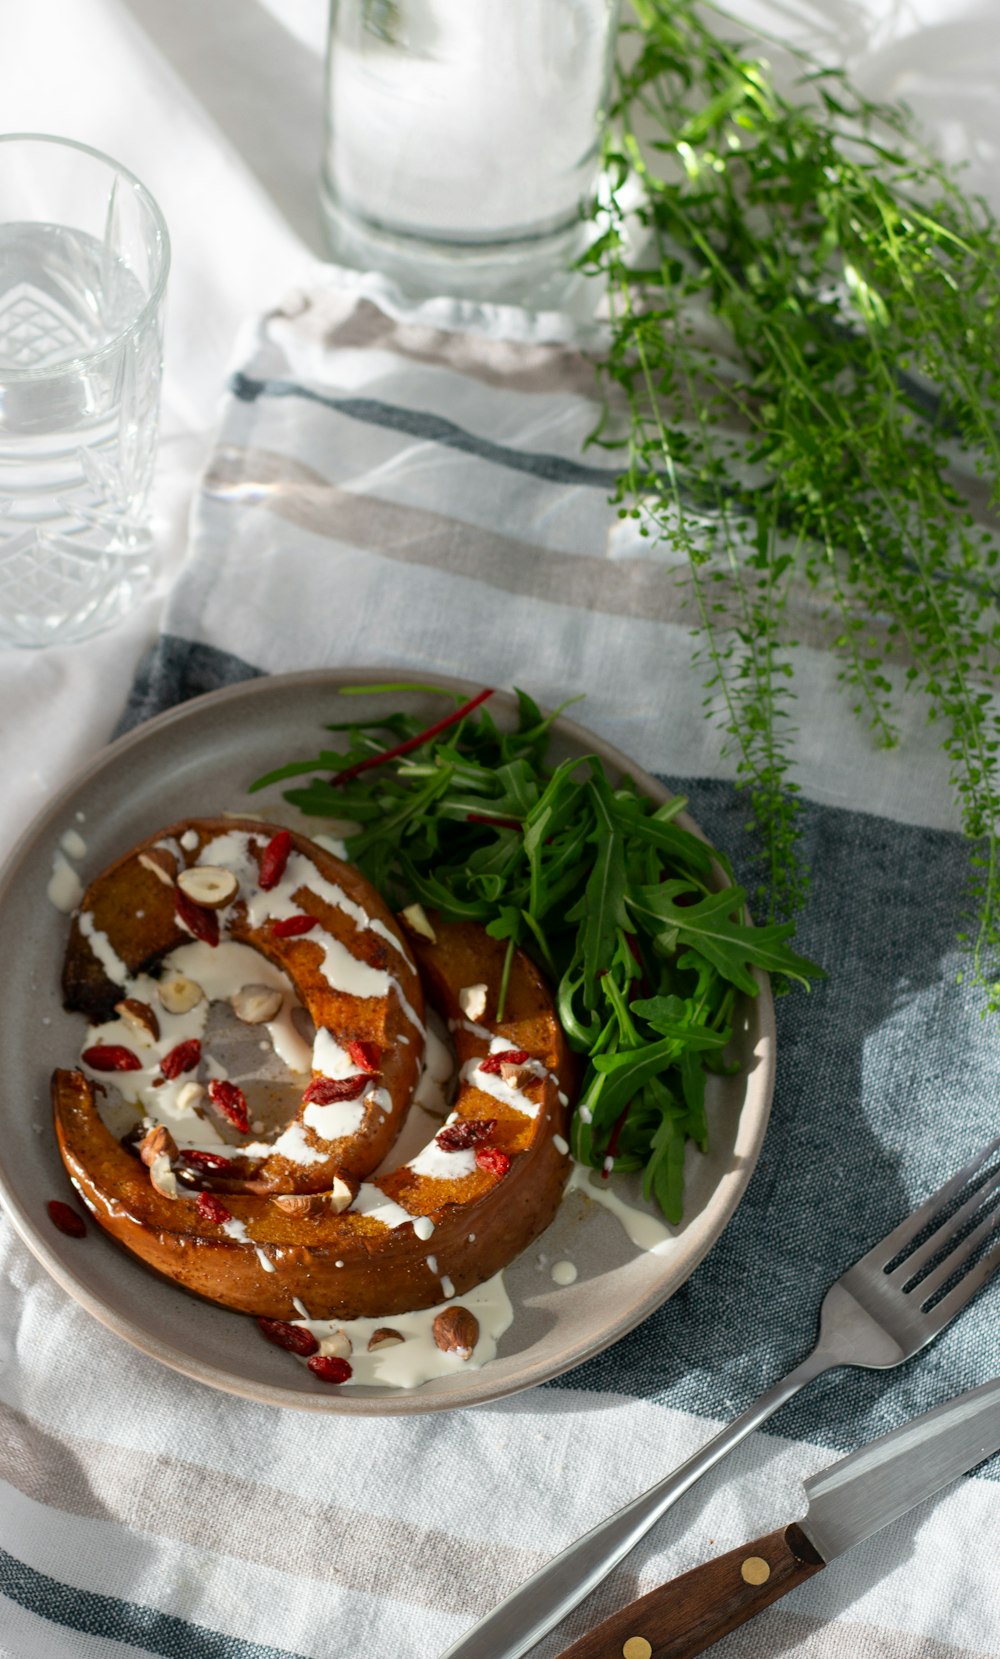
(805, 346)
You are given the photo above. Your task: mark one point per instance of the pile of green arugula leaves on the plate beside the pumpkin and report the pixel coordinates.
(616, 902)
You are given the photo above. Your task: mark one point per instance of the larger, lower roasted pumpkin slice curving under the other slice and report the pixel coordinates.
(432, 1228)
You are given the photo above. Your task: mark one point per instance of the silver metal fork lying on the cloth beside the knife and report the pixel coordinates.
(876, 1315)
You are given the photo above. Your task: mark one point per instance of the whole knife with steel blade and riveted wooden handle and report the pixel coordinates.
(848, 1502)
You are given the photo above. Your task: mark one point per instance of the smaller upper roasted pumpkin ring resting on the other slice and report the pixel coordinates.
(293, 905)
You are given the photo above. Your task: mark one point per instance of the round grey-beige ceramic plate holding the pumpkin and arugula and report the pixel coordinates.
(198, 761)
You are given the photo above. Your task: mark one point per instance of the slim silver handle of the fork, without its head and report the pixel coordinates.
(538, 1605)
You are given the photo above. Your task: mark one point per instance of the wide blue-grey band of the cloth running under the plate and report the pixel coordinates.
(886, 1082)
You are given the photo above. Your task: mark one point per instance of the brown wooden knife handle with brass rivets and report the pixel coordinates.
(694, 1612)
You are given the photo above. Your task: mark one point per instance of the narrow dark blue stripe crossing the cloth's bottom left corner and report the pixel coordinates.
(150, 1630)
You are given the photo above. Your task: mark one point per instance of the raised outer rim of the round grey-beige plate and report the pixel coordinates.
(478, 1389)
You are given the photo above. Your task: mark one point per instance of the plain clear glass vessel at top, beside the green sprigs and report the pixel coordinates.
(462, 139)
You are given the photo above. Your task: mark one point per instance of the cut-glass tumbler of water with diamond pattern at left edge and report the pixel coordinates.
(84, 263)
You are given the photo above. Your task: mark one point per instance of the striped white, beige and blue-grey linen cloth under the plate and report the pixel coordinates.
(414, 487)
